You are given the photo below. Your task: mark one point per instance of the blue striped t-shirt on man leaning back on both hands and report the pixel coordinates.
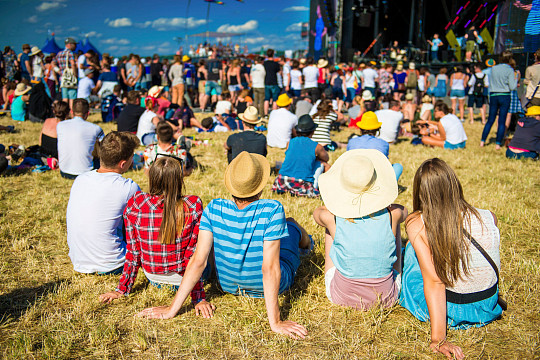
(238, 241)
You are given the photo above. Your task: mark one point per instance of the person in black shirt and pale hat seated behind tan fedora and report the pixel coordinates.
(249, 140)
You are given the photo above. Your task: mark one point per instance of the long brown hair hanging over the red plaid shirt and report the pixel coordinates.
(166, 180)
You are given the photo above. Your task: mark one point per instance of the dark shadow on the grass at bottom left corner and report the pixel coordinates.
(15, 303)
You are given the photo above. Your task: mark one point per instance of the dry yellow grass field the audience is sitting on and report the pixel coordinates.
(47, 311)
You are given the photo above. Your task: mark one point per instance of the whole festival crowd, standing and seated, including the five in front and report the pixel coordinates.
(448, 271)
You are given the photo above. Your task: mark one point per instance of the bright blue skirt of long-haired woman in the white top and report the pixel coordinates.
(459, 316)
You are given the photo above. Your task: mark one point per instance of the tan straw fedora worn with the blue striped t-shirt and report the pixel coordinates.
(247, 175)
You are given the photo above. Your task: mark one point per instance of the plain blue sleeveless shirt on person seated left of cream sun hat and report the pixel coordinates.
(300, 159)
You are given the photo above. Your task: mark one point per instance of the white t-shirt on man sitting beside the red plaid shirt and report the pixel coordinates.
(94, 221)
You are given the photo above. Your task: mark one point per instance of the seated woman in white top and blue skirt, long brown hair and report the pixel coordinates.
(450, 275)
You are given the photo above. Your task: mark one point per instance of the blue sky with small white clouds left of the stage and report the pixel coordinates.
(149, 26)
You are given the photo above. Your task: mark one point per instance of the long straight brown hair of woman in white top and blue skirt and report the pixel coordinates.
(438, 196)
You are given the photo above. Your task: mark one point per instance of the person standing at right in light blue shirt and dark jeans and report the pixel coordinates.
(501, 82)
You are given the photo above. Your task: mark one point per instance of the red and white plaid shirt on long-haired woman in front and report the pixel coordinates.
(142, 218)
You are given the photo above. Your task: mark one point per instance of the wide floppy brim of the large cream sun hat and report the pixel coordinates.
(347, 205)
